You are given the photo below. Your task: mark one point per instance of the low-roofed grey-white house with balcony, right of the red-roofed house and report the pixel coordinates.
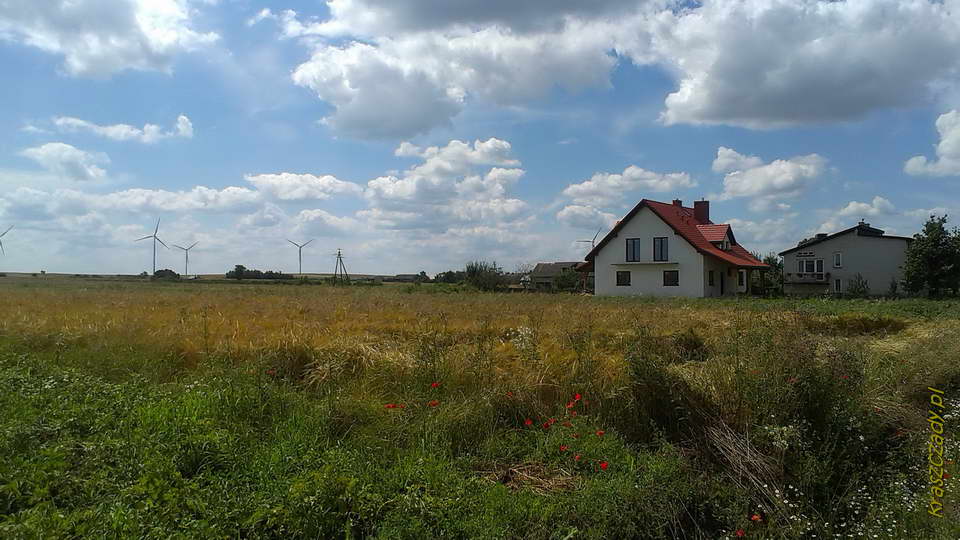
(828, 263)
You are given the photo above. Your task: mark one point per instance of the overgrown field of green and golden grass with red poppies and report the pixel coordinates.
(159, 410)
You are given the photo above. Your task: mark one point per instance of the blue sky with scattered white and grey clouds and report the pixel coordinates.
(417, 135)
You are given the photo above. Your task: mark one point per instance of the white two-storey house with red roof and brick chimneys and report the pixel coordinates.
(663, 249)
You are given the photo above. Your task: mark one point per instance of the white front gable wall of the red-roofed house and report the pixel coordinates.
(647, 279)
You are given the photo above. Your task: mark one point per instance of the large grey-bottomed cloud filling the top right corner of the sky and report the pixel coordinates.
(774, 63)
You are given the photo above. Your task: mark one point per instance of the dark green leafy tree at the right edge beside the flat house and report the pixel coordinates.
(933, 259)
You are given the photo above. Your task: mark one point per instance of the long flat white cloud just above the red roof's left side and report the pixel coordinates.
(606, 188)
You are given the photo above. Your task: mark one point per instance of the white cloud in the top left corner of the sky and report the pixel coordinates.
(97, 38)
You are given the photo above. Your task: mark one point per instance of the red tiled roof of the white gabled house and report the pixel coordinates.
(698, 234)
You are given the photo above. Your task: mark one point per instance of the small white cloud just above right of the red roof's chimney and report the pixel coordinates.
(767, 185)
